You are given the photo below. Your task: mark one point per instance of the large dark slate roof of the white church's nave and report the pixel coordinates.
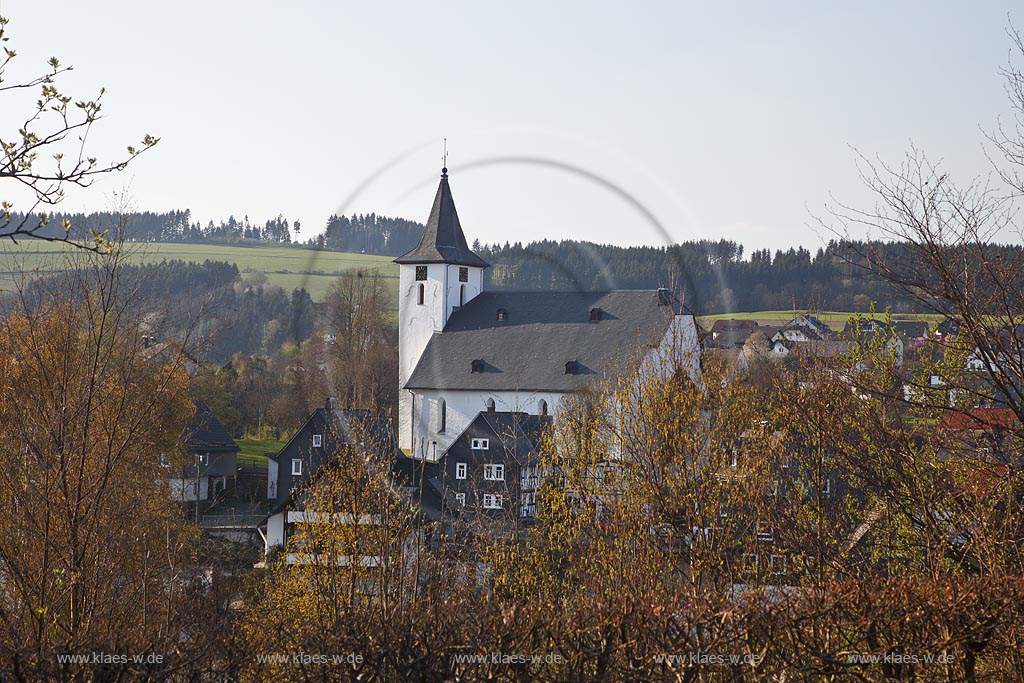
(541, 333)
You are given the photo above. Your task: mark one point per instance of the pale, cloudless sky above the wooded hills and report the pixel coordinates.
(721, 120)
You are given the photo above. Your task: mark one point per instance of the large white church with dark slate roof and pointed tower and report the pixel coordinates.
(464, 351)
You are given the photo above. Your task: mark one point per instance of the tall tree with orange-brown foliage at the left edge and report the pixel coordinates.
(95, 556)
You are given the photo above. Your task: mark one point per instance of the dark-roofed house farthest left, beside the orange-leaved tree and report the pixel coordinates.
(212, 464)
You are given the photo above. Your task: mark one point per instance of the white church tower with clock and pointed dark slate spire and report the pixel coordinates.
(435, 280)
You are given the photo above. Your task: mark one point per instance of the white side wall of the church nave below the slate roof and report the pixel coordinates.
(461, 408)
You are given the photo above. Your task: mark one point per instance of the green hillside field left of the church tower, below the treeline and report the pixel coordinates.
(289, 268)
